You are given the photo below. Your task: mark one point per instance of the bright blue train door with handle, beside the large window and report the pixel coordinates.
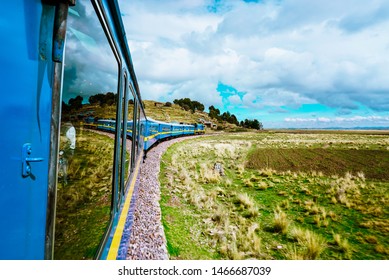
(26, 30)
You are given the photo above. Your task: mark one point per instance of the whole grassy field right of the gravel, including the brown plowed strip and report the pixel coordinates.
(282, 196)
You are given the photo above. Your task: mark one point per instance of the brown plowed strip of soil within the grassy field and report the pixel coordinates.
(373, 163)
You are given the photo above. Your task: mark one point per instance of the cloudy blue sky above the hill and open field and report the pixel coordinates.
(287, 63)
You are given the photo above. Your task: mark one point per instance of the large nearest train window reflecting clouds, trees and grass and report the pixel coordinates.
(86, 158)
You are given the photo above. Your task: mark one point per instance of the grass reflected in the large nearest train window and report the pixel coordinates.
(84, 197)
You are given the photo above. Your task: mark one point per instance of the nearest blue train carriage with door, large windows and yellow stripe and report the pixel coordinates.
(65, 191)
